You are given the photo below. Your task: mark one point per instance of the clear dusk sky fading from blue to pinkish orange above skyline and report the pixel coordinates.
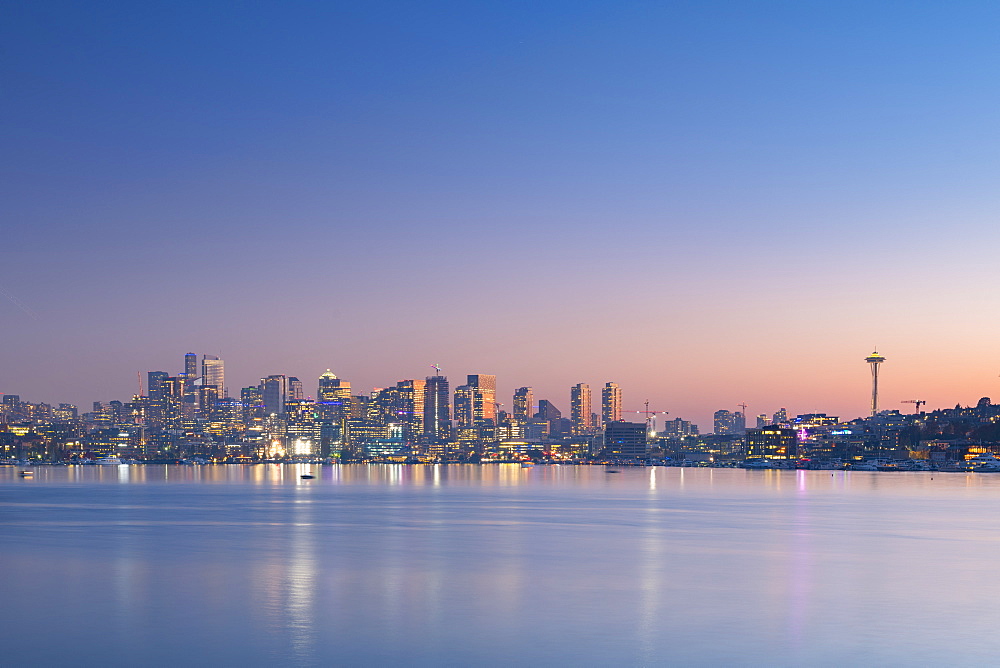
(708, 203)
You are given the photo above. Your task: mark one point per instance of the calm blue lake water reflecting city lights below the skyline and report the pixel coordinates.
(497, 565)
